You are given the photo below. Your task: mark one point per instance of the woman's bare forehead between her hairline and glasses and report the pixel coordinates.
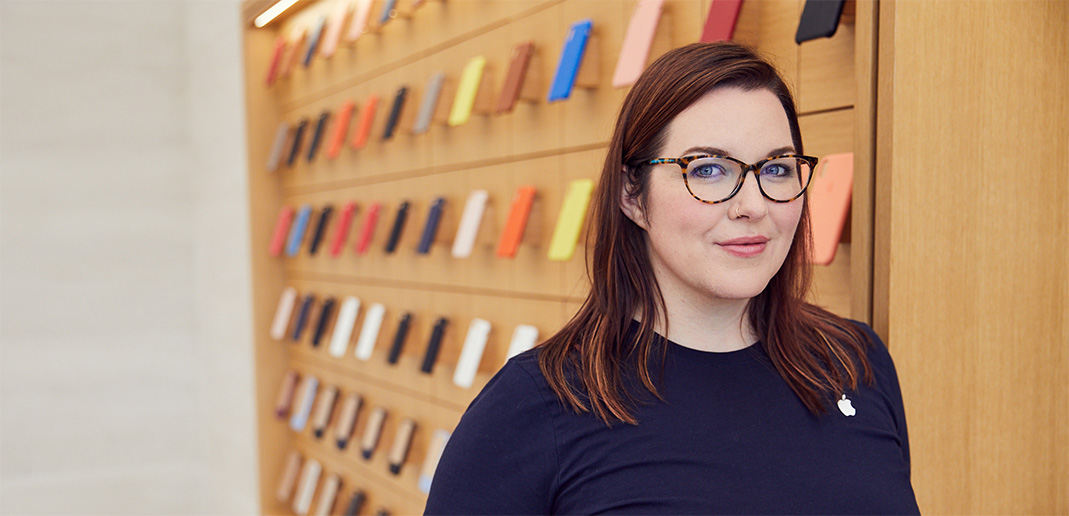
(747, 124)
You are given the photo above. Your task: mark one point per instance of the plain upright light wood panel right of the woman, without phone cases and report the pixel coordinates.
(975, 282)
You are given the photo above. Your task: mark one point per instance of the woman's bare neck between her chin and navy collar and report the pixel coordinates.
(709, 325)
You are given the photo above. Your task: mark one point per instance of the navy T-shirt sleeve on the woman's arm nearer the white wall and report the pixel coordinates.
(502, 459)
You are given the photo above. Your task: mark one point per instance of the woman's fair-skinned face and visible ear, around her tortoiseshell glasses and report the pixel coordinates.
(703, 253)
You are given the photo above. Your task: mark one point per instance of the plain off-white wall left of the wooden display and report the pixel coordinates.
(126, 357)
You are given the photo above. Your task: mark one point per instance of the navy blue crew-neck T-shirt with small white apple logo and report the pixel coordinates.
(731, 437)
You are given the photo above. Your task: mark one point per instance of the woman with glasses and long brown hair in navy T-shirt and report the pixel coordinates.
(695, 380)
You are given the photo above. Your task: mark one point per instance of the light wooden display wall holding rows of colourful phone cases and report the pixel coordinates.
(539, 144)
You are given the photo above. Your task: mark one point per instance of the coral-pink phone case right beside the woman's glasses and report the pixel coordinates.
(829, 198)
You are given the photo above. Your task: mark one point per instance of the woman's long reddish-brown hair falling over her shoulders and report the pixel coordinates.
(817, 353)
